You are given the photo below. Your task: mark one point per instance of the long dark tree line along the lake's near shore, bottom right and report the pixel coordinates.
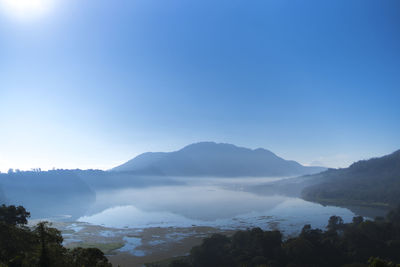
(361, 243)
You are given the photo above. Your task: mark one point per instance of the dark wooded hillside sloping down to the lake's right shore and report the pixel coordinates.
(374, 182)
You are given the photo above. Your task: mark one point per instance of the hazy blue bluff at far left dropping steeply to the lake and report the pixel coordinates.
(58, 192)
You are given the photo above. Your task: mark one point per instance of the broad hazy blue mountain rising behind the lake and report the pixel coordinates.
(218, 160)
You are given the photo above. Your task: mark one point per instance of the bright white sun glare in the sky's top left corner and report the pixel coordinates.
(26, 9)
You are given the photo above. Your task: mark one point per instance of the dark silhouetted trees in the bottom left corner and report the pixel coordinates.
(41, 246)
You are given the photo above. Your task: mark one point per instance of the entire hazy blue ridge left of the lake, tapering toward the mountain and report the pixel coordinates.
(67, 192)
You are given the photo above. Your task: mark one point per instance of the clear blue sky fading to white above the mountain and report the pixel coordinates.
(91, 84)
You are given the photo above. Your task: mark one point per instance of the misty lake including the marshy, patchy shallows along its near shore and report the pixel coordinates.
(138, 224)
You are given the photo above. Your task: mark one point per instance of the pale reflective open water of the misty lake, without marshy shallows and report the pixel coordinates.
(215, 202)
